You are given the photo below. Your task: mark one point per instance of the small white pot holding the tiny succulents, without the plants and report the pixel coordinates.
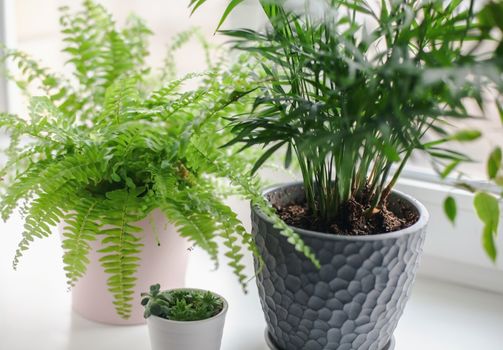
(187, 335)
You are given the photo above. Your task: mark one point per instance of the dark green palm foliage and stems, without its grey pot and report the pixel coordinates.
(351, 91)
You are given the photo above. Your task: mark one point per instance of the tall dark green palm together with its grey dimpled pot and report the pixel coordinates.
(352, 87)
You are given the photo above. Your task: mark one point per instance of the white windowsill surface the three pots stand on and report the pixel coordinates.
(35, 309)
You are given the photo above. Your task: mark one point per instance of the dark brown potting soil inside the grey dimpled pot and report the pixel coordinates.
(352, 220)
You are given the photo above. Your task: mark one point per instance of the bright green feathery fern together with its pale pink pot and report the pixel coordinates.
(115, 153)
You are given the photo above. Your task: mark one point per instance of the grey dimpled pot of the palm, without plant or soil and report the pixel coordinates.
(354, 301)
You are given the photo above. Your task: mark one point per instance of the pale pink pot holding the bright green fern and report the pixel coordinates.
(165, 264)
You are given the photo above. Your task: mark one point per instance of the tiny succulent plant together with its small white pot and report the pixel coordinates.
(184, 319)
